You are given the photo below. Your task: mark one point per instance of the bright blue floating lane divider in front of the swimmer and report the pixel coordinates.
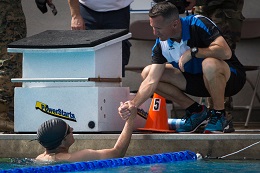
(109, 163)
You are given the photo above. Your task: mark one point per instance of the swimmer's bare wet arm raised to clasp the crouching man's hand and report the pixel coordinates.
(120, 147)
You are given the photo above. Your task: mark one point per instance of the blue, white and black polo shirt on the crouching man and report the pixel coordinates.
(197, 31)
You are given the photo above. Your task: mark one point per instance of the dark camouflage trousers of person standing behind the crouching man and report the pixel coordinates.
(227, 14)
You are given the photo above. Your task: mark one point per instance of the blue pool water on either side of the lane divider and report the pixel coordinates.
(200, 166)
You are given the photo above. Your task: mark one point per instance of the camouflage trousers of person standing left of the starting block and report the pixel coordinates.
(12, 28)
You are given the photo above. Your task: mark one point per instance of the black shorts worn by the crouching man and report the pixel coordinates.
(196, 87)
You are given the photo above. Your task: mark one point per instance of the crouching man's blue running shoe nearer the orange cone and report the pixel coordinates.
(193, 121)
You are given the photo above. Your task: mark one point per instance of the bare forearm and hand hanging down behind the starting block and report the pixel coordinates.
(77, 22)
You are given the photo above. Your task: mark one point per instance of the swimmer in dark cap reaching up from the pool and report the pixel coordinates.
(56, 136)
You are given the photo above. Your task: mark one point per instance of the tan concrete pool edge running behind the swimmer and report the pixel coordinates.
(212, 145)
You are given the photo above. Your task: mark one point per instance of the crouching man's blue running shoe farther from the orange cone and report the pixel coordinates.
(216, 123)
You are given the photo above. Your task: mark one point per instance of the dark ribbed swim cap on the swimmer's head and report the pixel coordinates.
(51, 133)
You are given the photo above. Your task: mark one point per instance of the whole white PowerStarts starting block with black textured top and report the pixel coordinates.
(79, 83)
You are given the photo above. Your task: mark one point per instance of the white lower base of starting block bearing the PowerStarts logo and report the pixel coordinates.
(91, 109)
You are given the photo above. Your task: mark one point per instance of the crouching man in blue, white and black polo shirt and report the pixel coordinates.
(190, 57)
